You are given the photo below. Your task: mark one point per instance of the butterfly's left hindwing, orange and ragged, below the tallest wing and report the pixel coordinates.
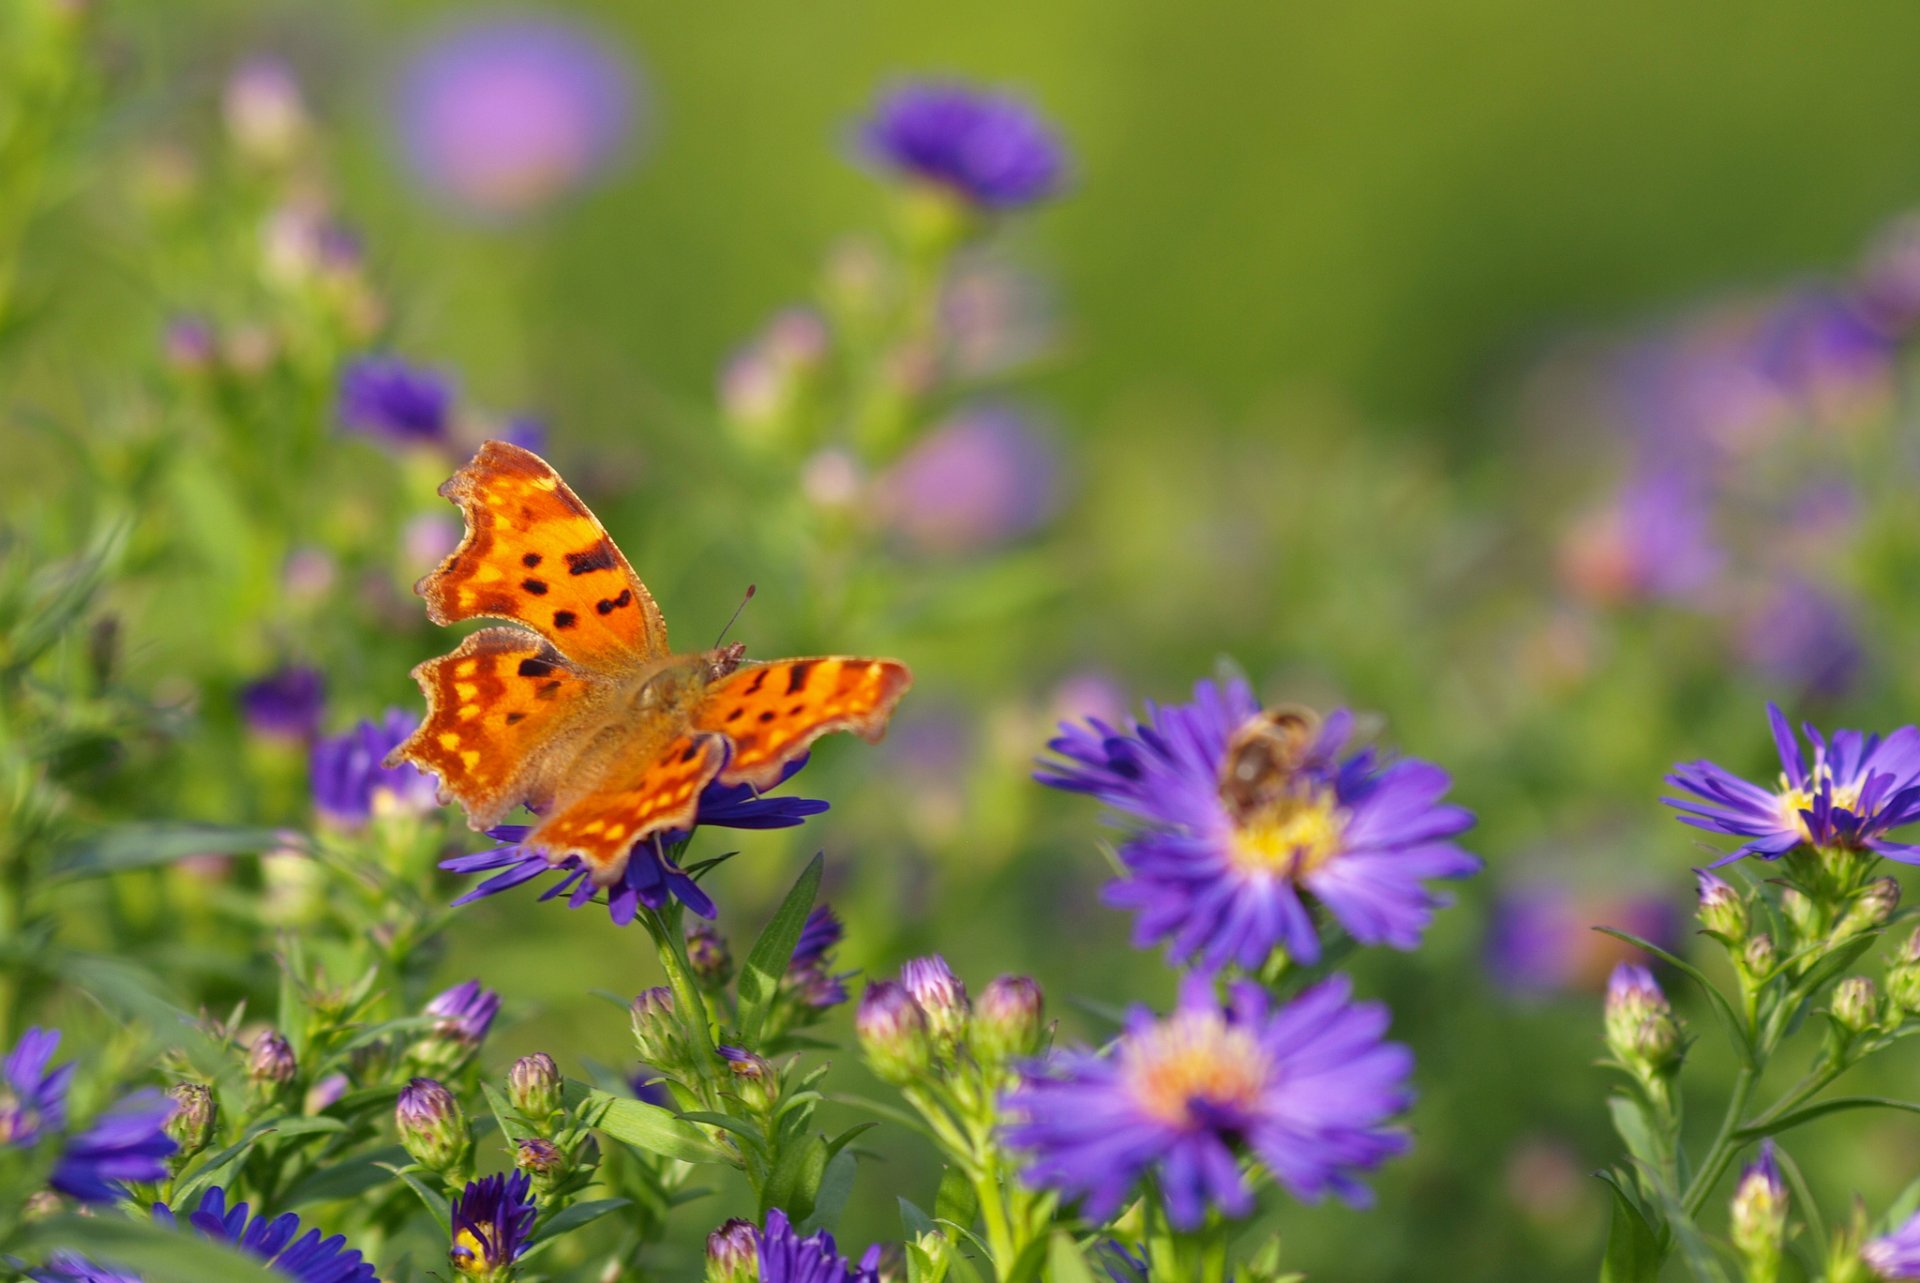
(504, 714)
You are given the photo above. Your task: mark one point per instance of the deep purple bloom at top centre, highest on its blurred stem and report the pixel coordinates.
(990, 149)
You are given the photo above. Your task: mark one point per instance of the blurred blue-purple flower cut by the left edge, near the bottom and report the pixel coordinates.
(126, 1144)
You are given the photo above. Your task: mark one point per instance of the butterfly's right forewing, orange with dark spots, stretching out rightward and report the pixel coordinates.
(771, 714)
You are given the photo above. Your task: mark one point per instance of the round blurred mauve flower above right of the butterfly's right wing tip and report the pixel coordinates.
(982, 479)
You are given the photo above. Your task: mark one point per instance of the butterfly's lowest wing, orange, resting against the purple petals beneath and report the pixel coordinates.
(654, 785)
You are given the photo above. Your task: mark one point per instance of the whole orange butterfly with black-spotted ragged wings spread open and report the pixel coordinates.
(596, 723)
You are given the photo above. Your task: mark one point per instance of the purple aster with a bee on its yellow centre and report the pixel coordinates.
(1226, 871)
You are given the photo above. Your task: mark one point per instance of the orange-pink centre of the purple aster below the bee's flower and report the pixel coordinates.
(1193, 1059)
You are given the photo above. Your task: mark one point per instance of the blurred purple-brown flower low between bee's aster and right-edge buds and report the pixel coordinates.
(1543, 938)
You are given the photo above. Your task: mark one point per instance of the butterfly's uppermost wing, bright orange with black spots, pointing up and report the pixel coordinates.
(535, 554)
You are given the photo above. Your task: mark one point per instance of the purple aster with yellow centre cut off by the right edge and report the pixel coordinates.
(1848, 796)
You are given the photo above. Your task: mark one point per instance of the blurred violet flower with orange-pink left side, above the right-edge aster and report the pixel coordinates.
(1654, 541)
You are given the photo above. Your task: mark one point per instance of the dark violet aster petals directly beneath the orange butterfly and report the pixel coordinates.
(650, 877)
